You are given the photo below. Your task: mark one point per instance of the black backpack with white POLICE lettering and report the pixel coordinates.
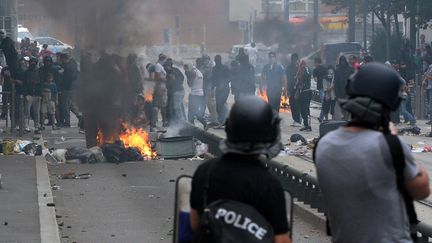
(228, 221)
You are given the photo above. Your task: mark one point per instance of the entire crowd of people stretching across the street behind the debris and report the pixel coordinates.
(47, 82)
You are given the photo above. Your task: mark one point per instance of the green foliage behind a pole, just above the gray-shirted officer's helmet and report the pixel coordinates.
(378, 46)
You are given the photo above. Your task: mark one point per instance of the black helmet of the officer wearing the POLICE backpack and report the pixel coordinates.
(252, 120)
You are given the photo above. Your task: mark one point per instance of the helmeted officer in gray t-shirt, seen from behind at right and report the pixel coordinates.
(355, 167)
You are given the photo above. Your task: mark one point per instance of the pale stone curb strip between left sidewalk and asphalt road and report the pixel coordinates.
(47, 215)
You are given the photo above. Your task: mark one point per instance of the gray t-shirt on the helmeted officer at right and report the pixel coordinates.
(358, 181)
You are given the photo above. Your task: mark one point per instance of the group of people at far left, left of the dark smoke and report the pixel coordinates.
(41, 83)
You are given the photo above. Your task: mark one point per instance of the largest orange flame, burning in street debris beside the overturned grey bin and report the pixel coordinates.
(137, 138)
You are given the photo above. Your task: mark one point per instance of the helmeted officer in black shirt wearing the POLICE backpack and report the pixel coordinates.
(239, 175)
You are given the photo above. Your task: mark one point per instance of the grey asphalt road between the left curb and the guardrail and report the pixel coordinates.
(130, 202)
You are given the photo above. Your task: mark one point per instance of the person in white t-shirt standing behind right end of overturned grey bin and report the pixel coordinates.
(196, 107)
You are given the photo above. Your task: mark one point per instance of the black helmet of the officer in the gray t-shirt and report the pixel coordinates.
(378, 82)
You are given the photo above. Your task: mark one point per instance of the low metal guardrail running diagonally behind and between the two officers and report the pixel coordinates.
(301, 186)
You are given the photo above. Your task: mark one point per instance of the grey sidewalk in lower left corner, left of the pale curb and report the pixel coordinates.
(19, 211)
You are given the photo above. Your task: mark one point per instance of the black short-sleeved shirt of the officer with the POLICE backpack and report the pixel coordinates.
(243, 179)
